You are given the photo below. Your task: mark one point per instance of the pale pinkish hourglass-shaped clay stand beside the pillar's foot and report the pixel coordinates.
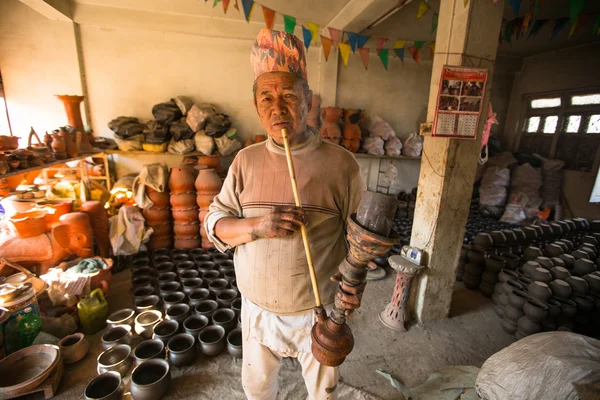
(396, 313)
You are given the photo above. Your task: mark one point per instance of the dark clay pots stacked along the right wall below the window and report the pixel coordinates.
(554, 283)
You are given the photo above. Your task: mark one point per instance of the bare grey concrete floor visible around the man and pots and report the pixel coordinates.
(469, 337)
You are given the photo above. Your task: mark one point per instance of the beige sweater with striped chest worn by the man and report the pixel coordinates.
(273, 273)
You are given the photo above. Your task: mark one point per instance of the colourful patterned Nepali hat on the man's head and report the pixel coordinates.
(278, 51)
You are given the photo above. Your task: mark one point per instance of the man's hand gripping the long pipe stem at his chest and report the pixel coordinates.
(281, 221)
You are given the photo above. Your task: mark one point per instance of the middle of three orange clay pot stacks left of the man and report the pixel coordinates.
(184, 208)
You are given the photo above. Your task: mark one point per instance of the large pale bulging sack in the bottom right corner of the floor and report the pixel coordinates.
(543, 366)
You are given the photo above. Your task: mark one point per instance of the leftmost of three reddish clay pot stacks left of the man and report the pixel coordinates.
(158, 217)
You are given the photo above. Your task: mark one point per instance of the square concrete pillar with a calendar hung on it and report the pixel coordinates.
(466, 36)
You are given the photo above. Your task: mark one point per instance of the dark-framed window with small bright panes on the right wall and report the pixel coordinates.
(563, 125)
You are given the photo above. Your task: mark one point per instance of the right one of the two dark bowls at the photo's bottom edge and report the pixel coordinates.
(150, 380)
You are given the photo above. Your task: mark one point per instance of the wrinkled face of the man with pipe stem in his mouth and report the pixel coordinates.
(281, 102)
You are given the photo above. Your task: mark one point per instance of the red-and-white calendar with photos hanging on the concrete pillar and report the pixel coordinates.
(460, 96)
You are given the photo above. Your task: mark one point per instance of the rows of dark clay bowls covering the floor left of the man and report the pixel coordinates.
(186, 305)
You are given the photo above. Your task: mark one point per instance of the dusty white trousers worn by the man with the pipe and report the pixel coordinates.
(260, 368)
